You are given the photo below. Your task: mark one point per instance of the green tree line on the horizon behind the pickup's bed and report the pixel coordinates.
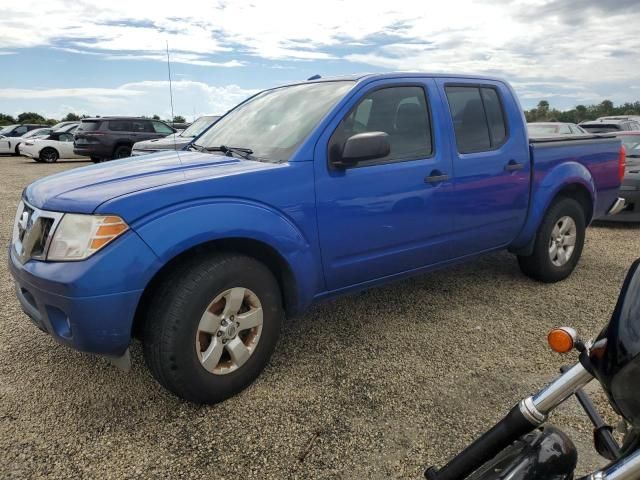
(544, 113)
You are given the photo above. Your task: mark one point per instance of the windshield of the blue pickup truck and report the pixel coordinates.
(275, 122)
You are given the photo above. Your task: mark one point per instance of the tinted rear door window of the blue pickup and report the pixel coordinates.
(478, 118)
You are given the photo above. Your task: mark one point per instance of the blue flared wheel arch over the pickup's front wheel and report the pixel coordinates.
(173, 232)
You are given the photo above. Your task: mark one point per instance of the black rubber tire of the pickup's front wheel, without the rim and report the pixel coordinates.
(172, 322)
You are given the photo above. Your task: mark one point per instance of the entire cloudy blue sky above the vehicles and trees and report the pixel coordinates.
(108, 57)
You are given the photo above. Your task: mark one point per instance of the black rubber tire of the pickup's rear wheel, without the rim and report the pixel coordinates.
(539, 264)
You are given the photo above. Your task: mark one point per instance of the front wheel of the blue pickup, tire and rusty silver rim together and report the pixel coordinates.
(212, 326)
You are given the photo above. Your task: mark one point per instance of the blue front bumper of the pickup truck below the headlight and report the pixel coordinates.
(79, 303)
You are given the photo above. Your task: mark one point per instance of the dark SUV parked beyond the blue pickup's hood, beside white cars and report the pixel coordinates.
(107, 138)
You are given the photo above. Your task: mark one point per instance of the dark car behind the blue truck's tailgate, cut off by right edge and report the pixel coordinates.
(630, 188)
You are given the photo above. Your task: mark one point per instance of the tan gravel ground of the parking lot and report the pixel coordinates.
(375, 385)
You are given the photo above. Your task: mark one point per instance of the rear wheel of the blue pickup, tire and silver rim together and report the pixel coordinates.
(558, 244)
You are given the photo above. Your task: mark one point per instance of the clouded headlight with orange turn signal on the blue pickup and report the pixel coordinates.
(79, 236)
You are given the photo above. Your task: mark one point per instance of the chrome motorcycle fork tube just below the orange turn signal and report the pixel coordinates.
(537, 407)
